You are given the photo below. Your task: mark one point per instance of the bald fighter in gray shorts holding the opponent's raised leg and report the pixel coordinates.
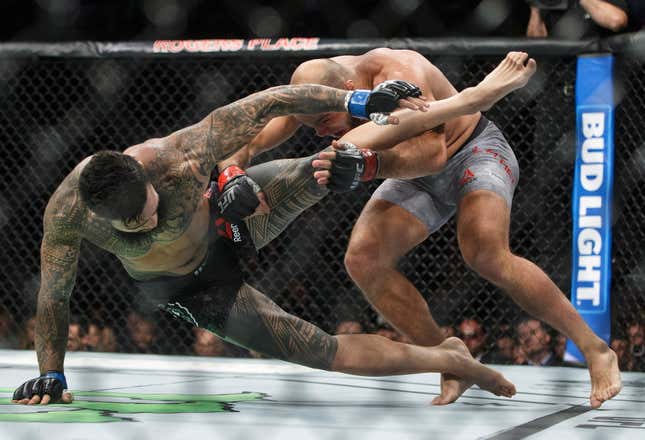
(466, 167)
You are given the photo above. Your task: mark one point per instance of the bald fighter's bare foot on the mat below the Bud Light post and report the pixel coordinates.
(605, 376)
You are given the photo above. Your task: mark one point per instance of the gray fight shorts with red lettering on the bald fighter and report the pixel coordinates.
(484, 162)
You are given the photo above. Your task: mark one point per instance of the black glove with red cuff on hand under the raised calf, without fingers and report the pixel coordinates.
(351, 166)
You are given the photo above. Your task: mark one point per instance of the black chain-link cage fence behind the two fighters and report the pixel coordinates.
(55, 111)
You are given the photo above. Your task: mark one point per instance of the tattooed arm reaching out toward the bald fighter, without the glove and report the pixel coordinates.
(229, 128)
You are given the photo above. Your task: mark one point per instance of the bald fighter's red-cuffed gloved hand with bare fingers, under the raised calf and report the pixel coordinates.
(343, 168)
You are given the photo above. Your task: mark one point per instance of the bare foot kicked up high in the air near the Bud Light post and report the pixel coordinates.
(511, 74)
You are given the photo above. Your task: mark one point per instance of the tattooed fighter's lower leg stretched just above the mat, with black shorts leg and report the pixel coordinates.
(253, 321)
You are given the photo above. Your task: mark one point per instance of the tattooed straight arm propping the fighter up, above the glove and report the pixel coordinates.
(59, 252)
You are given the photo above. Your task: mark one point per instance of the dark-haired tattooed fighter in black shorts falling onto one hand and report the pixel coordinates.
(151, 207)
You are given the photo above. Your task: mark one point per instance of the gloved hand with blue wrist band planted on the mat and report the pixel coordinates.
(48, 388)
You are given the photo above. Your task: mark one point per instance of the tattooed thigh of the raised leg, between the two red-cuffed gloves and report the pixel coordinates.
(290, 188)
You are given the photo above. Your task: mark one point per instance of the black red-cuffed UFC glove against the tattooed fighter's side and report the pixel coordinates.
(237, 197)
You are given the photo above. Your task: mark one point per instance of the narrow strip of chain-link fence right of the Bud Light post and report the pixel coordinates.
(628, 283)
